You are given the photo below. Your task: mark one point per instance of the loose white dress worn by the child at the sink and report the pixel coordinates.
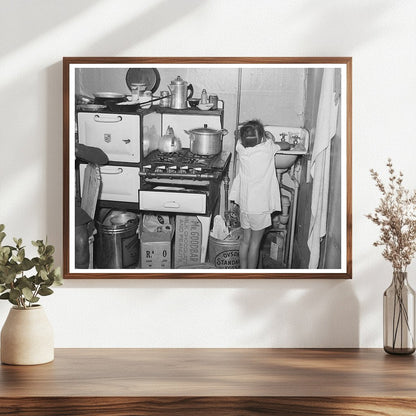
(255, 188)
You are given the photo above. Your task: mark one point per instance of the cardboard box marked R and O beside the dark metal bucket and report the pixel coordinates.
(155, 249)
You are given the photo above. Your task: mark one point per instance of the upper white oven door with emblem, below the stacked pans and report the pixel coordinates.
(116, 134)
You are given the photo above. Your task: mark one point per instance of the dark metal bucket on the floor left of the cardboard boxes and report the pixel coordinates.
(116, 244)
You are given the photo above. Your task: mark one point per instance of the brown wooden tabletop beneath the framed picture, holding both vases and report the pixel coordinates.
(212, 382)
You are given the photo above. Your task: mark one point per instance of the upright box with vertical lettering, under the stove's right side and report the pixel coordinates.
(188, 240)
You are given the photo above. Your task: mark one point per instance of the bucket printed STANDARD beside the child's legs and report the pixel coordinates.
(224, 254)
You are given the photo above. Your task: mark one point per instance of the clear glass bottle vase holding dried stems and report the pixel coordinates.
(399, 316)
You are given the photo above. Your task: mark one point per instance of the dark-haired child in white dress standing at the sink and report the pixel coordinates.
(255, 188)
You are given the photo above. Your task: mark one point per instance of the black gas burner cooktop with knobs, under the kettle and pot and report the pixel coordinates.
(184, 165)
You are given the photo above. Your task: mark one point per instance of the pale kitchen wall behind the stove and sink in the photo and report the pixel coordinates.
(274, 96)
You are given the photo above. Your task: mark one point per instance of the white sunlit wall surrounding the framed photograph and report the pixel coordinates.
(380, 36)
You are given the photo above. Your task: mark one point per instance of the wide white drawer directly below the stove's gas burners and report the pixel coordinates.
(172, 202)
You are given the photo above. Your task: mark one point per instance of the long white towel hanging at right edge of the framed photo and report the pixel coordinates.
(320, 163)
